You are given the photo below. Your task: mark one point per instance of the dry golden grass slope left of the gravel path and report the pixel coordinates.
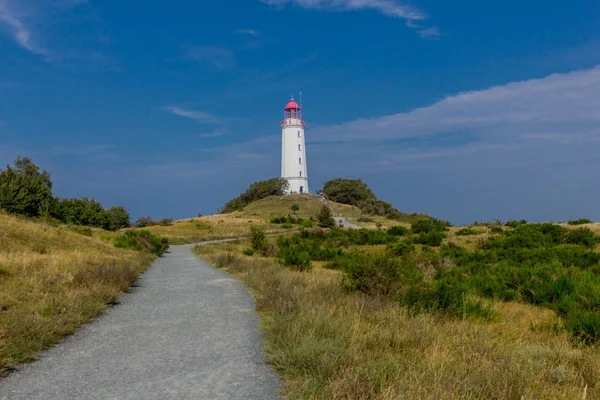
(52, 280)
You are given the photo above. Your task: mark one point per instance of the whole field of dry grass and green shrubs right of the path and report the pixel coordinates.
(492, 311)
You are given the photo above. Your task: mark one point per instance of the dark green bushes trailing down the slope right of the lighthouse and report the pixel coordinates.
(356, 193)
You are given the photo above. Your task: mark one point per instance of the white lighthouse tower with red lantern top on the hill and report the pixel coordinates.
(293, 149)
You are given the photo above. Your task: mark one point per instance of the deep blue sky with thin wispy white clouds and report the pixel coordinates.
(464, 110)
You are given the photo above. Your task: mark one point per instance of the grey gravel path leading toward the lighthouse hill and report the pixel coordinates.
(187, 331)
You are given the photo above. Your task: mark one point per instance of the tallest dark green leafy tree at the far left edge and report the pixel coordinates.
(26, 190)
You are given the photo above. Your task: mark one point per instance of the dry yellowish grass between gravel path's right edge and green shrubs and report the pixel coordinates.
(328, 344)
